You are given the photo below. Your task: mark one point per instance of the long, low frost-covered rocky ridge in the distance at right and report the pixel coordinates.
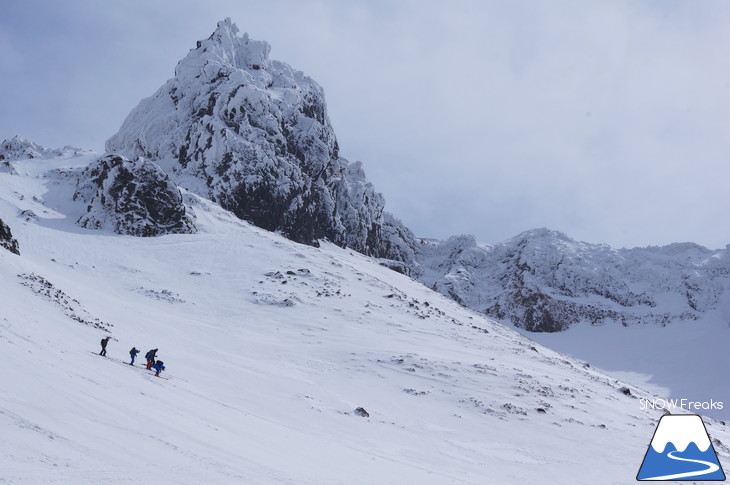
(544, 281)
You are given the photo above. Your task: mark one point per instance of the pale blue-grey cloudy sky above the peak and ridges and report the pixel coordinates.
(607, 120)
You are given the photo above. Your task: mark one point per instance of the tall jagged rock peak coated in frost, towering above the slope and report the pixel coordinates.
(252, 134)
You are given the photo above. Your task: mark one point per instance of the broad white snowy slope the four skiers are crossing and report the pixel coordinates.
(270, 346)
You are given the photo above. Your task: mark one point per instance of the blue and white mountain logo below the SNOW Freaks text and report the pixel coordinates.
(681, 450)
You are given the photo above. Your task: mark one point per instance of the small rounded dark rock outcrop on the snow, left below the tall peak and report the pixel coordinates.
(136, 198)
